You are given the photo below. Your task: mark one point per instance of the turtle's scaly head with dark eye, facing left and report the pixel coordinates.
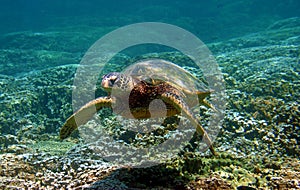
(117, 81)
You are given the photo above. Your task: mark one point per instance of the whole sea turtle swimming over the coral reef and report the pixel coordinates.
(131, 92)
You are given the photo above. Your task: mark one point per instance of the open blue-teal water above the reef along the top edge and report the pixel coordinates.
(209, 20)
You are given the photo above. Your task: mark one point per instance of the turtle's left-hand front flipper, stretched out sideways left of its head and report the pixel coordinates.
(84, 114)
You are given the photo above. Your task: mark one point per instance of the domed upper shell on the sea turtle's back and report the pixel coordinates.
(155, 70)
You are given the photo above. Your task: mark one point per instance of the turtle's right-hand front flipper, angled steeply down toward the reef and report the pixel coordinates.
(180, 105)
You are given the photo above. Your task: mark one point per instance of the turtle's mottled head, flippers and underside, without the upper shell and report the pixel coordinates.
(141, 93)
